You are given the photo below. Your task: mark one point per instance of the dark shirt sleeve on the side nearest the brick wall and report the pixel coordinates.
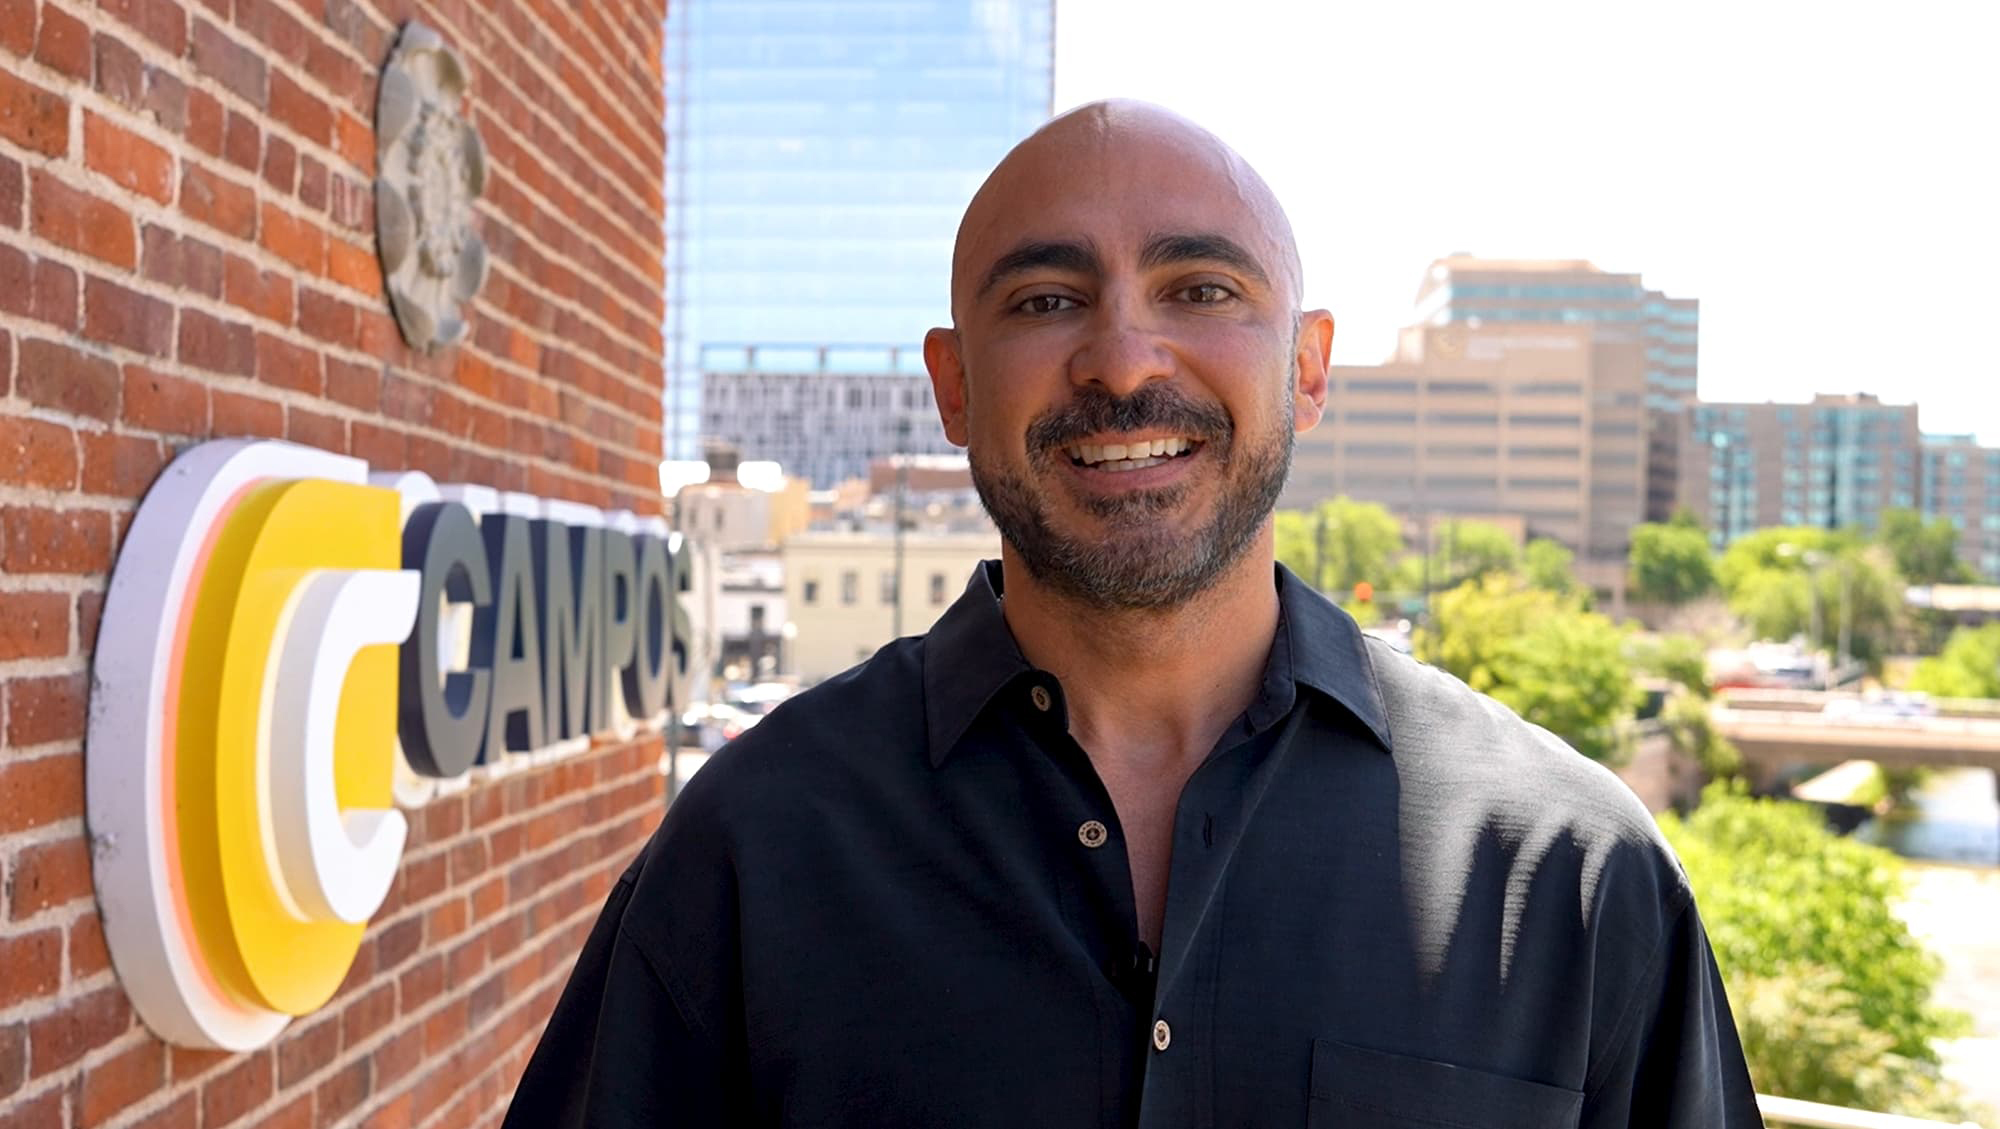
(621, 1050)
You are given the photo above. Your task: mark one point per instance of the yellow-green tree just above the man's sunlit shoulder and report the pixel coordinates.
(1551, 662)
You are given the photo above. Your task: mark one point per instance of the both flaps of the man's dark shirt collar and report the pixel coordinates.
(971, 658)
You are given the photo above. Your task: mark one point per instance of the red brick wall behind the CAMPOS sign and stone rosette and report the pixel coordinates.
(187, 251)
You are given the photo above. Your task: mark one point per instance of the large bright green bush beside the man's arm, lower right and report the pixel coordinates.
(1831, 990)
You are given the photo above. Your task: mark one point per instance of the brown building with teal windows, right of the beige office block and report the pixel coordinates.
(1835, 463)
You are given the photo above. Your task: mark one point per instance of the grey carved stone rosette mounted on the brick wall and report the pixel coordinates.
(433, 165)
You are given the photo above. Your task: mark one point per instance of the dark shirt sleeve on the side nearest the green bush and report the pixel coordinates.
(1677, 1064)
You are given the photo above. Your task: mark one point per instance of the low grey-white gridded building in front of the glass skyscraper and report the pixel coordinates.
(821, 413)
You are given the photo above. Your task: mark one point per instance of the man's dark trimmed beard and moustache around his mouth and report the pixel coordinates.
(1139, 561)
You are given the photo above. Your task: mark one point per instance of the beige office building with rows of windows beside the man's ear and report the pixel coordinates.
(1533, 423)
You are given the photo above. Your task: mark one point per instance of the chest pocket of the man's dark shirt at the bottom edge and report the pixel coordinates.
(1369, 1090)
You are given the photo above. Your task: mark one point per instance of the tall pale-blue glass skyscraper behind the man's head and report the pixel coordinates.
(819, 159)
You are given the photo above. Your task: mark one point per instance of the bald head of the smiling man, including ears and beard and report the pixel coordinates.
(1129, 363)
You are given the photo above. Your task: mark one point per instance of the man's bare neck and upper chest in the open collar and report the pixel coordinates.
(1153, 692)
